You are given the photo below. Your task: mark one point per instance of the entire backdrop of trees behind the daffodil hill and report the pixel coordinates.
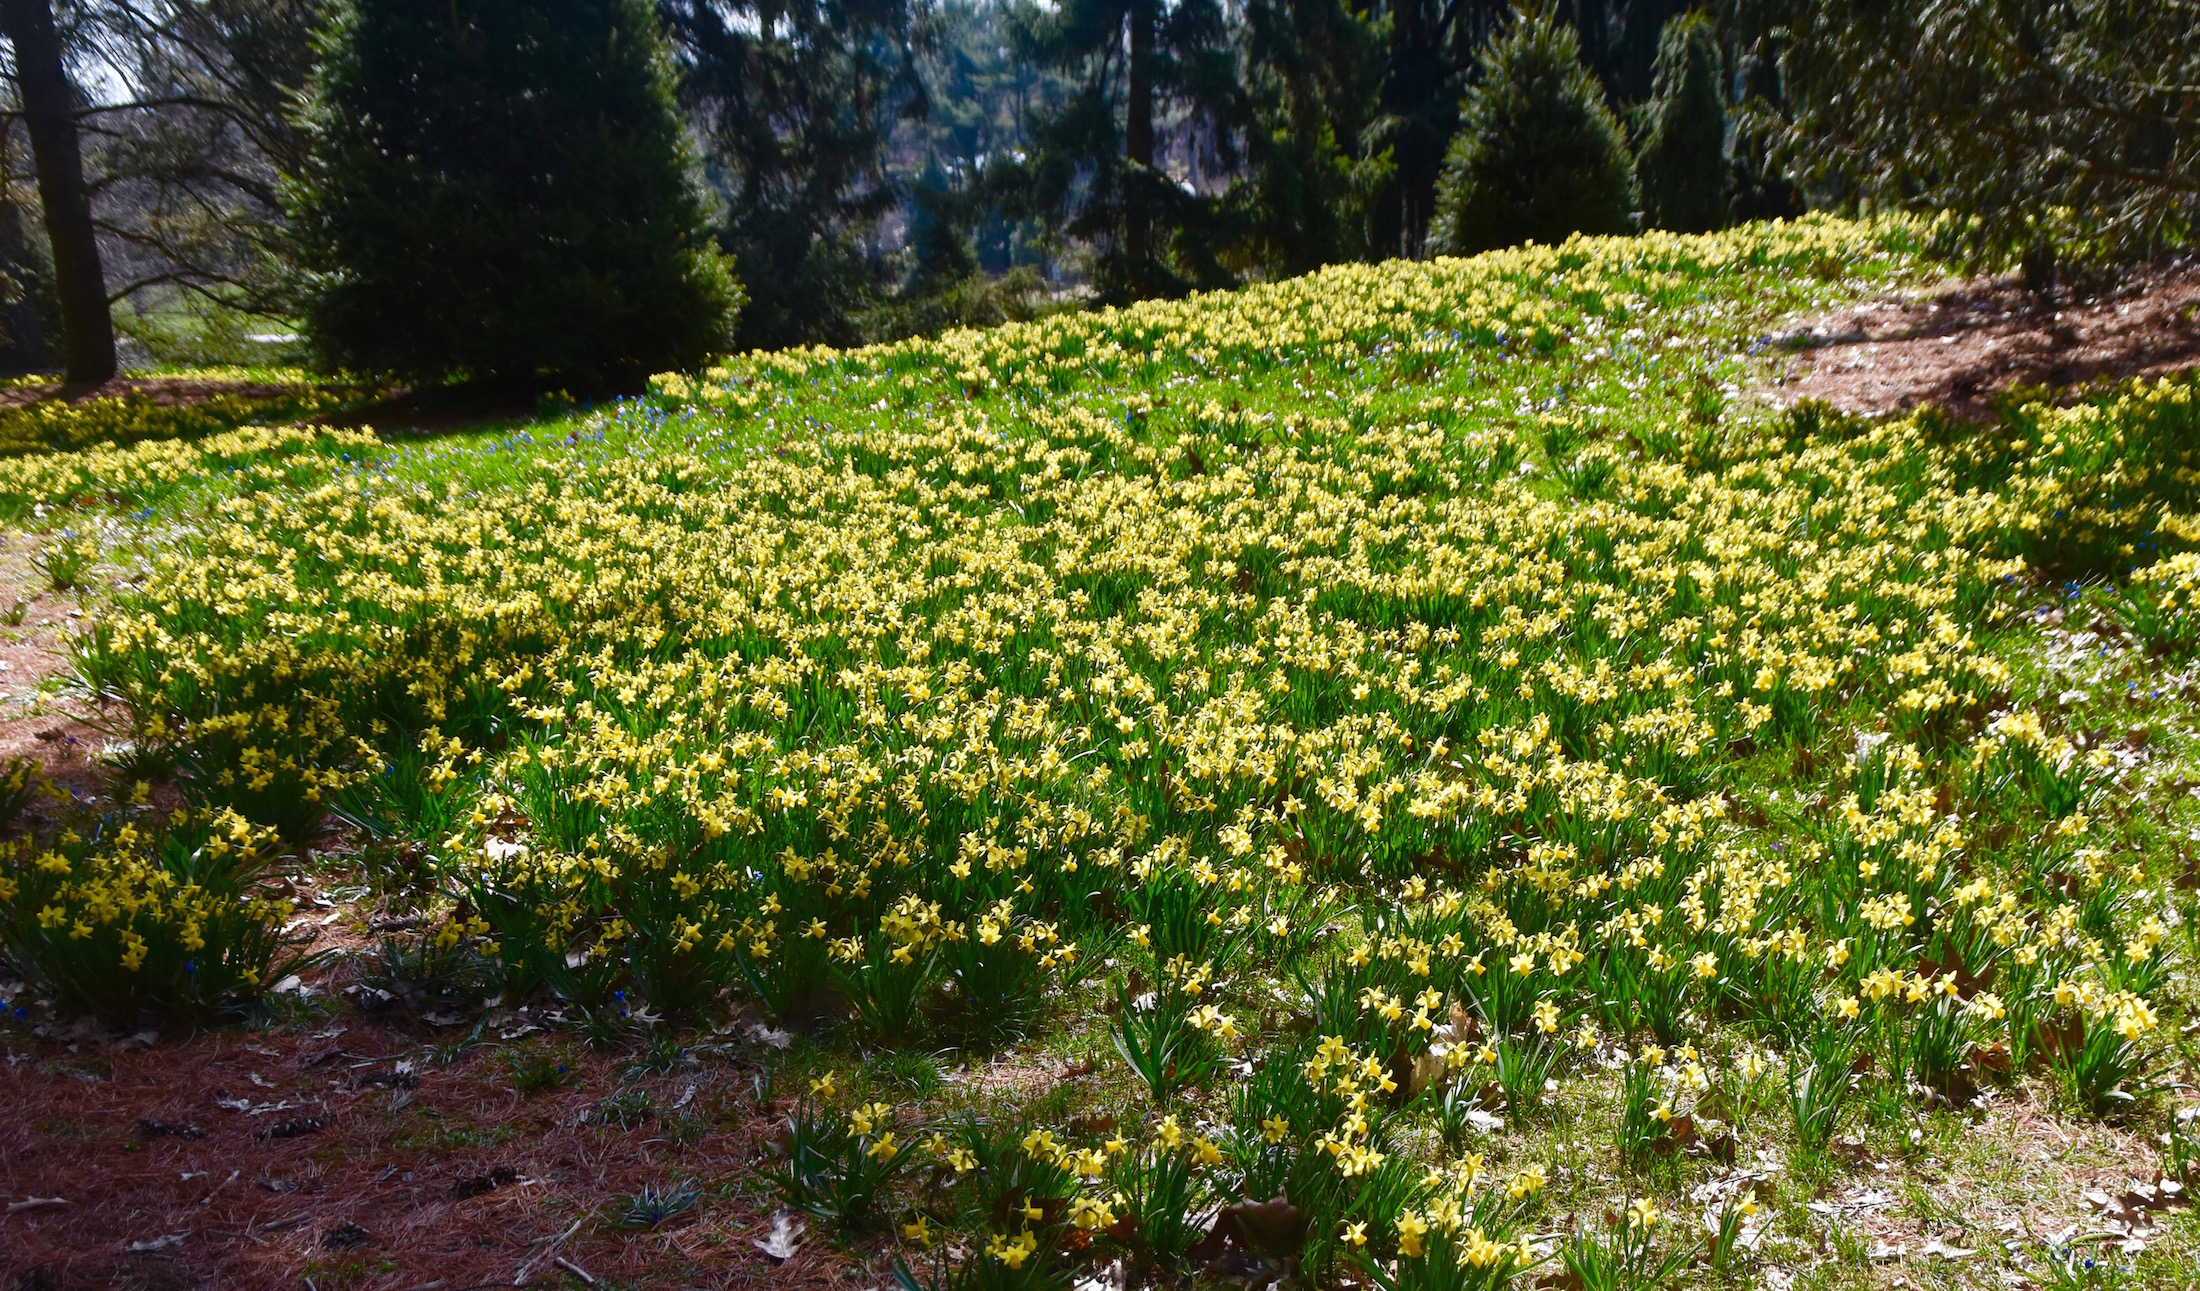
(883, 168)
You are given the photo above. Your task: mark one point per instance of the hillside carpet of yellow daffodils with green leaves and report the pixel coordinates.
(1471, 793)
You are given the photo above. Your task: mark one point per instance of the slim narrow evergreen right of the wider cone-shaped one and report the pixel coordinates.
(1682, 166)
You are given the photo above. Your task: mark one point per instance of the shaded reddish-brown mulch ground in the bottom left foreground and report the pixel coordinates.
(342, 1149)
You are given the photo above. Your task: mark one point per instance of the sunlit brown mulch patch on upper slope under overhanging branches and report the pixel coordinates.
(1966, 346)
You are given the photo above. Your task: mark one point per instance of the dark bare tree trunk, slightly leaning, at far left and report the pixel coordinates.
(52, 118)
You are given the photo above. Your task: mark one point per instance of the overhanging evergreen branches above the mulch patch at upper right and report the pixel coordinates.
(2056, 129)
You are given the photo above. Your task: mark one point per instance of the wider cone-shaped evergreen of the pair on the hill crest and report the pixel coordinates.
(1539, 153)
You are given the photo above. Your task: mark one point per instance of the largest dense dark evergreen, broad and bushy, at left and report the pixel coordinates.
(500, 192)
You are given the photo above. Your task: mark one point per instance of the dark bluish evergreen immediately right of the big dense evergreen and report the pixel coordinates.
(797, 104)
